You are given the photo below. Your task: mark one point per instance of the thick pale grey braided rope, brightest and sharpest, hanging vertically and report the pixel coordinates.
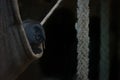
(83, 39)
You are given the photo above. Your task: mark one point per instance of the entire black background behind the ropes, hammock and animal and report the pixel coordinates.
(60, 56)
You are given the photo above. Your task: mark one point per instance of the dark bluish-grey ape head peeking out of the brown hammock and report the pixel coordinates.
(35, 34)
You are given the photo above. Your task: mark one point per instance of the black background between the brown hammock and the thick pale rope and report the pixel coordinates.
(60, 55)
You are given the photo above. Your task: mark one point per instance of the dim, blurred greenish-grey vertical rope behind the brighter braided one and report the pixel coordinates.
(104, 51)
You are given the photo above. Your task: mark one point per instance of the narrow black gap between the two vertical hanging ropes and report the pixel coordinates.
(94, 34)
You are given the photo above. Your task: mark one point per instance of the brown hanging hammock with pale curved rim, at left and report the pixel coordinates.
(15, 51)
